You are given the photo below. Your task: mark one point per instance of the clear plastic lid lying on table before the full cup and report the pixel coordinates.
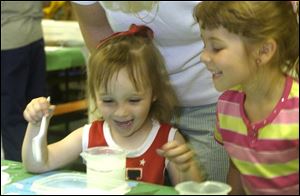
(71, 183)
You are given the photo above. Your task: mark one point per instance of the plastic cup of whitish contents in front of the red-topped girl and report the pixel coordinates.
(105, 167)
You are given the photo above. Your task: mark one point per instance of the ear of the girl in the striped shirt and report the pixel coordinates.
(267, 51)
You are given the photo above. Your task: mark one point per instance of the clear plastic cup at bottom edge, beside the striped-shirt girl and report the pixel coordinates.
(204, 188)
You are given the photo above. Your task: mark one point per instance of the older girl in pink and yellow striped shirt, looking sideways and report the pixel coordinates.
(251, 49)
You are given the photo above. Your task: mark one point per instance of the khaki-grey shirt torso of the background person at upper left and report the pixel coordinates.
(20, 23)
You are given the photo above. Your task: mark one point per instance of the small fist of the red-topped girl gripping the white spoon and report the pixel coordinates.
(36, 109)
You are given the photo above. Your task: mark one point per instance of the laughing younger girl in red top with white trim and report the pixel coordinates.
(129, 85)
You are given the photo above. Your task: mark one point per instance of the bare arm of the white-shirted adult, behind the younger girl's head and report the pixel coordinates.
(93, 23)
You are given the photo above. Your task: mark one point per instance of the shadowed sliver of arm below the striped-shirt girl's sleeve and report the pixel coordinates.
(234, 180)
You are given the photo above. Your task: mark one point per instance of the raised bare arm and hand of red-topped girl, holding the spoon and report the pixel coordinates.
(55, 155)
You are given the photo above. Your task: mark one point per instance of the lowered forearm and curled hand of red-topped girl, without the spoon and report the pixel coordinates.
(182, 165)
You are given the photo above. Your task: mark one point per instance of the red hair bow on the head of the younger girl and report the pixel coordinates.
(134, 29)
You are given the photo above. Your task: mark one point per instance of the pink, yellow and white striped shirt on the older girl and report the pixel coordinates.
(265, 153)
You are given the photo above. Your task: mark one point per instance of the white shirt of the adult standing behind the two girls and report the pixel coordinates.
(177, 35)
